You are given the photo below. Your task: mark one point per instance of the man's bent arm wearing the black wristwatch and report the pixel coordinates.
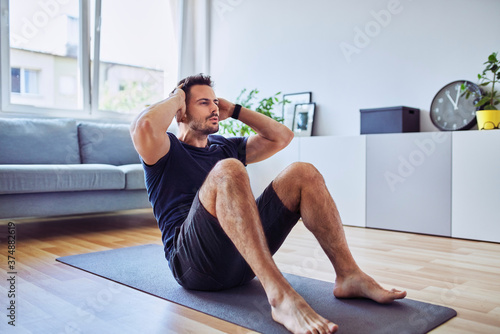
(271, 136)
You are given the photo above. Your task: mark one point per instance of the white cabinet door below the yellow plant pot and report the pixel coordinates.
(476, 185)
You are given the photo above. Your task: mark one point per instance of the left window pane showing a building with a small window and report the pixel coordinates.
(43, 34)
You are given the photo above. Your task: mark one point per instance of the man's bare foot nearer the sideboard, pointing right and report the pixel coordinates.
(360, 285)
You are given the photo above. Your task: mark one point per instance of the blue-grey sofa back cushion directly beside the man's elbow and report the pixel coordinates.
(106, 144)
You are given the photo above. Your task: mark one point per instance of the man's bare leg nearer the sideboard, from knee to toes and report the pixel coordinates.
(302, 189)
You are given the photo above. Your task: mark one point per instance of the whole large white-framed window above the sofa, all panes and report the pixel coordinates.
(132, 52)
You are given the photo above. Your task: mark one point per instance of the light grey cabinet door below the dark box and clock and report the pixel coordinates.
(409, 182)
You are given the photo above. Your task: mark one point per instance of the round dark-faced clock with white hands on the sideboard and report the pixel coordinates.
(452, 110)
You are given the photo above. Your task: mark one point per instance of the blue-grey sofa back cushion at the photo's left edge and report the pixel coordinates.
(38, 141)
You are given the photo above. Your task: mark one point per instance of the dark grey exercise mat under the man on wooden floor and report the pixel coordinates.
(145, 268)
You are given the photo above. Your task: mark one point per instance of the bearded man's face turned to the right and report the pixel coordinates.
(202, 111)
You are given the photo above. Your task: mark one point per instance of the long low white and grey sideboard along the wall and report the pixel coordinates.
(440, 183)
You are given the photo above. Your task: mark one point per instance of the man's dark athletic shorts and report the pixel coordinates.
(204, 258)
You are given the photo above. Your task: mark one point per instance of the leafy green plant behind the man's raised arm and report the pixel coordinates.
(265, 106)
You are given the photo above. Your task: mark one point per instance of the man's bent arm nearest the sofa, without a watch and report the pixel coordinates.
(149, 129)
